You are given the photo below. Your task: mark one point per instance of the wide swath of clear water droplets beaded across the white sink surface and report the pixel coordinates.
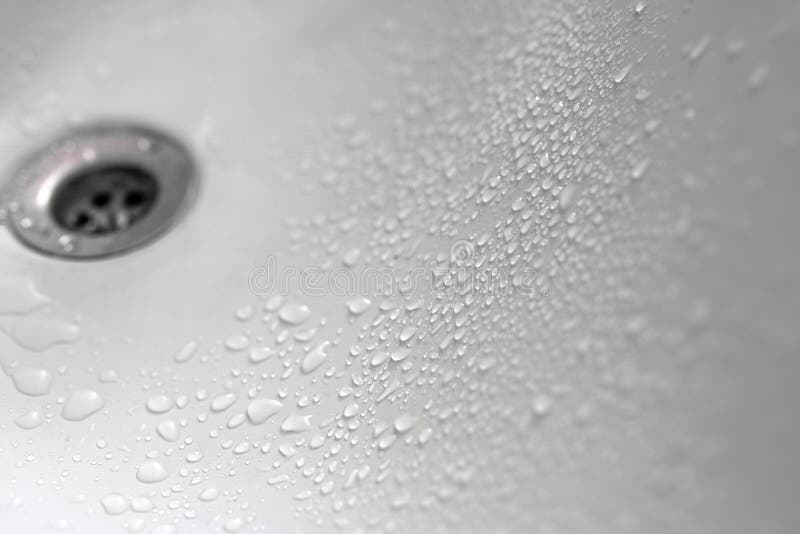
(438, 405)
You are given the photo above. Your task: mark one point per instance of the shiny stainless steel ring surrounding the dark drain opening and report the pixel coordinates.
(37, 183)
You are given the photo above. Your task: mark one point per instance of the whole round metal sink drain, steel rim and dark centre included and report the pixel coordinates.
(100, 191)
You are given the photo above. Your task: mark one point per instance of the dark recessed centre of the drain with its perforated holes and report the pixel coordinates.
(104, 200)
